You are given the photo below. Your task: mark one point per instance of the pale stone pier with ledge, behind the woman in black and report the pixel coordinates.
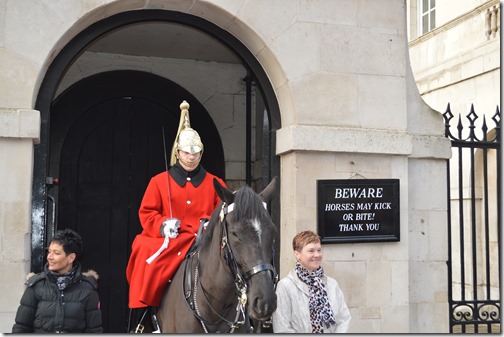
(19, 130)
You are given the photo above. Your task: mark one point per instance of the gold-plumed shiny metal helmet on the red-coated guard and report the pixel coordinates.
(187, 138)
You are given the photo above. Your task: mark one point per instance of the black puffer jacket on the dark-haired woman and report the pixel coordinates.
(46, 309)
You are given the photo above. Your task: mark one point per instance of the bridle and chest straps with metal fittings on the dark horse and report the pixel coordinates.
(240, 278)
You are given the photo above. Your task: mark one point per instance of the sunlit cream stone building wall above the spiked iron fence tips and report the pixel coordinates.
(459, 62)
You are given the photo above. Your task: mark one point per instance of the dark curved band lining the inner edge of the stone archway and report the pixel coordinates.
(50, 86)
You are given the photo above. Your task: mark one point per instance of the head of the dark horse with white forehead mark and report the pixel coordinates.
(248, 241)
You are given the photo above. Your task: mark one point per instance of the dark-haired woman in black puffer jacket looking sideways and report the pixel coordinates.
(61, 298)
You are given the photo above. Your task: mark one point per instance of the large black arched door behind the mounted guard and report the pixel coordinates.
(106, 144)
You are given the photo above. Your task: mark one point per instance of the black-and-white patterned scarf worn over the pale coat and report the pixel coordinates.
(321, 312)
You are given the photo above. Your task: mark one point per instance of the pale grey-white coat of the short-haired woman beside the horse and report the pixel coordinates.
(293, 315)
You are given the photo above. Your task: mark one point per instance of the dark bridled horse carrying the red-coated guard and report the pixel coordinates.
(228, 280)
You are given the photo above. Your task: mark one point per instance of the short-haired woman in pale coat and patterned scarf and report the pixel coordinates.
(307, 300)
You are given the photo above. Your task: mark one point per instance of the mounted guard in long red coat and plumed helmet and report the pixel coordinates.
(176, 203)
